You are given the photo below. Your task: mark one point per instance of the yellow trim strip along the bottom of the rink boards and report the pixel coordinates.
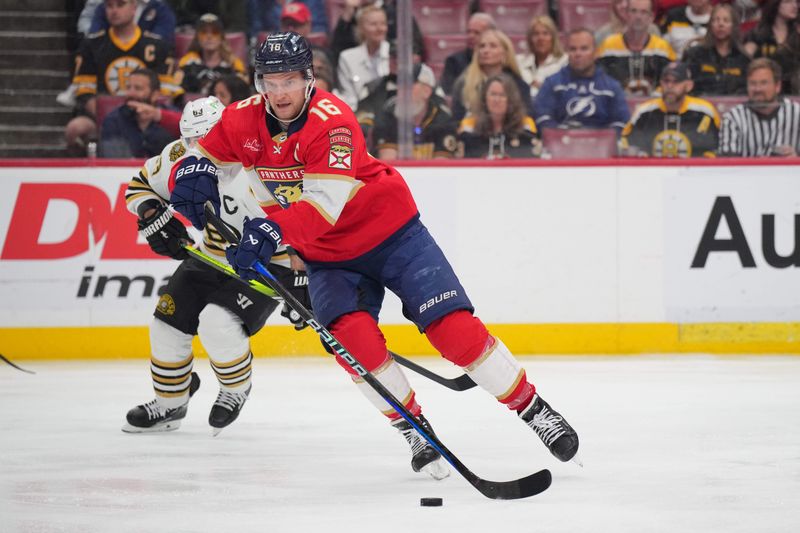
(278, 341)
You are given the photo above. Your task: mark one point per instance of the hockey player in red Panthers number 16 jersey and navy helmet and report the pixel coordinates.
(354, 222)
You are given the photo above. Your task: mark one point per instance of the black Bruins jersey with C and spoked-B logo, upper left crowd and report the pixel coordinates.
(104, 63)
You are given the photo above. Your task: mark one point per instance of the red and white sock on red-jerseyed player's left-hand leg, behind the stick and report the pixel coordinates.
(359, 333)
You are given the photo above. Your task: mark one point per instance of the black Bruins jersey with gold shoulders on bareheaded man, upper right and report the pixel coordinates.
(637, 72)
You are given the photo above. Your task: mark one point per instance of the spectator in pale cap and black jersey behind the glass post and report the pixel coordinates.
(434, 134)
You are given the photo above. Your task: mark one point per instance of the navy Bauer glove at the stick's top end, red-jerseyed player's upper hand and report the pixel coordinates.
(195, 183)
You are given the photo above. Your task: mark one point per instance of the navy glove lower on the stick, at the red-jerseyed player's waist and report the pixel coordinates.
(260, 239)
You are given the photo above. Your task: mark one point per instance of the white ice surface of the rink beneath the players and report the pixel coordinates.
(670, 444)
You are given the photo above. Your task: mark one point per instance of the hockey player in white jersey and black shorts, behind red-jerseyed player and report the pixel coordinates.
(198, 300)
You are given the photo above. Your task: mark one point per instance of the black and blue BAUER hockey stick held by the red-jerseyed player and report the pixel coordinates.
(498, 490)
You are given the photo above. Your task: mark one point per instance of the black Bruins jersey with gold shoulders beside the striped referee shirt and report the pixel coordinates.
(691, 132)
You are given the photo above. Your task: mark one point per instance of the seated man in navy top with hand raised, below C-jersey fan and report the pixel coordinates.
(134, 129)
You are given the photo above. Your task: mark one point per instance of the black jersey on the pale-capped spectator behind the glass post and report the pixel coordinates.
(434, 137)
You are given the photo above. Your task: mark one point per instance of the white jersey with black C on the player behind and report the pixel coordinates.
(236, 198)
